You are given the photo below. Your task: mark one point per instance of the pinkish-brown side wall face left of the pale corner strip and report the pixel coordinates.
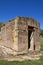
(7, 36)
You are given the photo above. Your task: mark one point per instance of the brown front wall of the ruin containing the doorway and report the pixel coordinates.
(23, 33)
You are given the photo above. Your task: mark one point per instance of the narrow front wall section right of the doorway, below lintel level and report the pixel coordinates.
(37, 39)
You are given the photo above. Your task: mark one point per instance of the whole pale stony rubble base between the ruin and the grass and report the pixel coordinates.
(8, 54)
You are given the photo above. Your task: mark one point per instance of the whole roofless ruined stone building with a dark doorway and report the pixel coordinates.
(21, 35)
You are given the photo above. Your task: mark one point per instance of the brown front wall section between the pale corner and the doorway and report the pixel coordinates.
(22, 35)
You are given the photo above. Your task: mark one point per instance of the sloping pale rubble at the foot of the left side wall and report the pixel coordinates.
(5, 51)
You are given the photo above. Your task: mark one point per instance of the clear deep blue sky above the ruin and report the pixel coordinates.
(9, 9)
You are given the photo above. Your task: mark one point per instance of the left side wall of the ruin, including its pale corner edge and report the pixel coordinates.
(10, 34)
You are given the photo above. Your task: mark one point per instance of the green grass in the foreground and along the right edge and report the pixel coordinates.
(37, 62)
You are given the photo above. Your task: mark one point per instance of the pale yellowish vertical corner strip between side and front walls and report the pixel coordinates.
(15, 35)
